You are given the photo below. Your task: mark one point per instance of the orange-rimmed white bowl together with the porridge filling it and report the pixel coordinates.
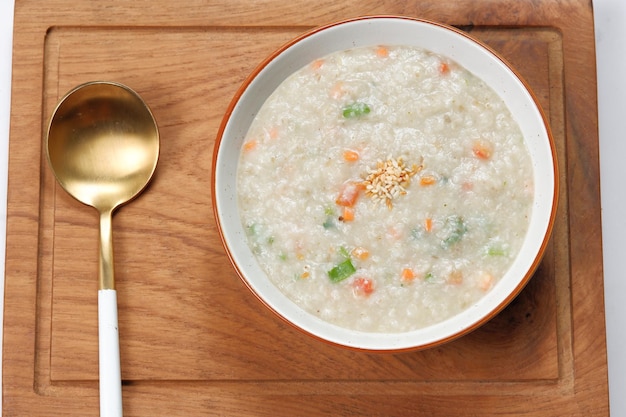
(384, 183)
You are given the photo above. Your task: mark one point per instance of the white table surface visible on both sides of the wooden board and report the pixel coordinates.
(610, 21)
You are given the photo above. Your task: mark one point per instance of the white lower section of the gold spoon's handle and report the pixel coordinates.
(109, 355)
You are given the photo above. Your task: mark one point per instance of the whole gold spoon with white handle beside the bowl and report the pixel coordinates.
(103, 146)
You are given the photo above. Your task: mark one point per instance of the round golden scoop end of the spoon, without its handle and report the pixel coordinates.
(103, 144)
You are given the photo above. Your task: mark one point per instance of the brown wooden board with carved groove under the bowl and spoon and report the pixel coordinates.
(194, 341)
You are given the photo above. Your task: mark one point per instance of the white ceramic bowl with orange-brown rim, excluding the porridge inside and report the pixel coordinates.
(440, 39)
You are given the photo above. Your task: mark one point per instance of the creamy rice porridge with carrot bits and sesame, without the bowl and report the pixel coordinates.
(384, 188)
